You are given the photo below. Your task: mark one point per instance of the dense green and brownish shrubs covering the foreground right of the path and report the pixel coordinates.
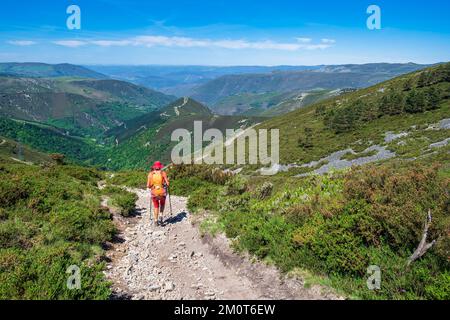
(340, 224)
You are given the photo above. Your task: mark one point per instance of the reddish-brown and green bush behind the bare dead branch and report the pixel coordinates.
(400, 199)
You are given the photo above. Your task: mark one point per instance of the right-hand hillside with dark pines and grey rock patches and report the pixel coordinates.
(405, 116)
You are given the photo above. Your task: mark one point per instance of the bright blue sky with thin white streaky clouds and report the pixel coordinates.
(219, 32)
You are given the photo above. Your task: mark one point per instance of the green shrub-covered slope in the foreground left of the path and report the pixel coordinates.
(50, 219)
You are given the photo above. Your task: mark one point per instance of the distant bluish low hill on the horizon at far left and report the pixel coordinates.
(43, 70)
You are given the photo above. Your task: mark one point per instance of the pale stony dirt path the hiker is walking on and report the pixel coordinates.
(175, 262)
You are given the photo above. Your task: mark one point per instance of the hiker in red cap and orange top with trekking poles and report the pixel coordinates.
(157, 182)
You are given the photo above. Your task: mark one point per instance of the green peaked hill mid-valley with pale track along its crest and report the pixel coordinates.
(148, 138)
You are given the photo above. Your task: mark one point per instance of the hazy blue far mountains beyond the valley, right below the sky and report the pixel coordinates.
(256, 90)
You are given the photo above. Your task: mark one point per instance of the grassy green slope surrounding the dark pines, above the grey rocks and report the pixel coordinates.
(325, 140)
